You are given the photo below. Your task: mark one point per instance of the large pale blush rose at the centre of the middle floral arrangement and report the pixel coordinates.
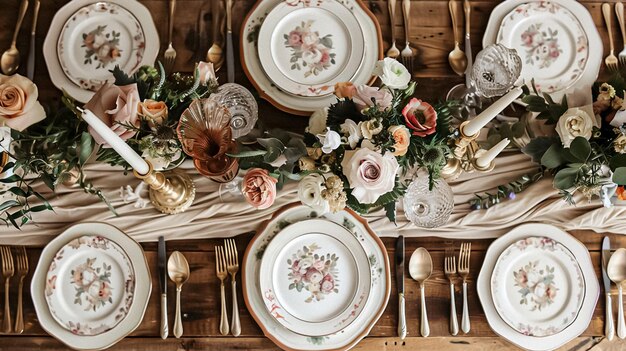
(370, 174)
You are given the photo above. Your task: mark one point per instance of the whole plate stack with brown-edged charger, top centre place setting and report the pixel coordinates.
(295, 51)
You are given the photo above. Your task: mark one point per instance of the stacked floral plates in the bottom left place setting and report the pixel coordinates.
(91, 286)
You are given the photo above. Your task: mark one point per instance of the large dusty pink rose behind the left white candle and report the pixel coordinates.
(115, 105)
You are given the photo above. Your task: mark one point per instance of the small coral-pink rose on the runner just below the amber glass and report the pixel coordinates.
(259, 188)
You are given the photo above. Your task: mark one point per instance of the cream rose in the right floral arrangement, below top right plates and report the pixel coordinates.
(576, 122)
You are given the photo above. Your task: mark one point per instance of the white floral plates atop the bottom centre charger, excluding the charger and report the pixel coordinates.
(313, 274)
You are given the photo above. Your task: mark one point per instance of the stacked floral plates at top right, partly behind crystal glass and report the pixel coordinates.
(555, 40)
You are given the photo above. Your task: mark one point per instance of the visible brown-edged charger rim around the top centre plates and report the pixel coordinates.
(304, 105)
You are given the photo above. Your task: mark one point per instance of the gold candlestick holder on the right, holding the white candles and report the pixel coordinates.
(465, 153)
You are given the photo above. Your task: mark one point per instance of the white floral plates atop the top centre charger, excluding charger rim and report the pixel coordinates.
(310, 48)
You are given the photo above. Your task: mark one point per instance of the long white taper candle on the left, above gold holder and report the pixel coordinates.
(119, 145)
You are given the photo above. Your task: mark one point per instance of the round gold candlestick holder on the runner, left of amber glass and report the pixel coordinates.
(171, 191)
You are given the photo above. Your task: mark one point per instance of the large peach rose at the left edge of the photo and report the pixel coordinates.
(19, 107)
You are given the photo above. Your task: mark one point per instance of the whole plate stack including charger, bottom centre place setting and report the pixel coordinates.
(316, 283)
